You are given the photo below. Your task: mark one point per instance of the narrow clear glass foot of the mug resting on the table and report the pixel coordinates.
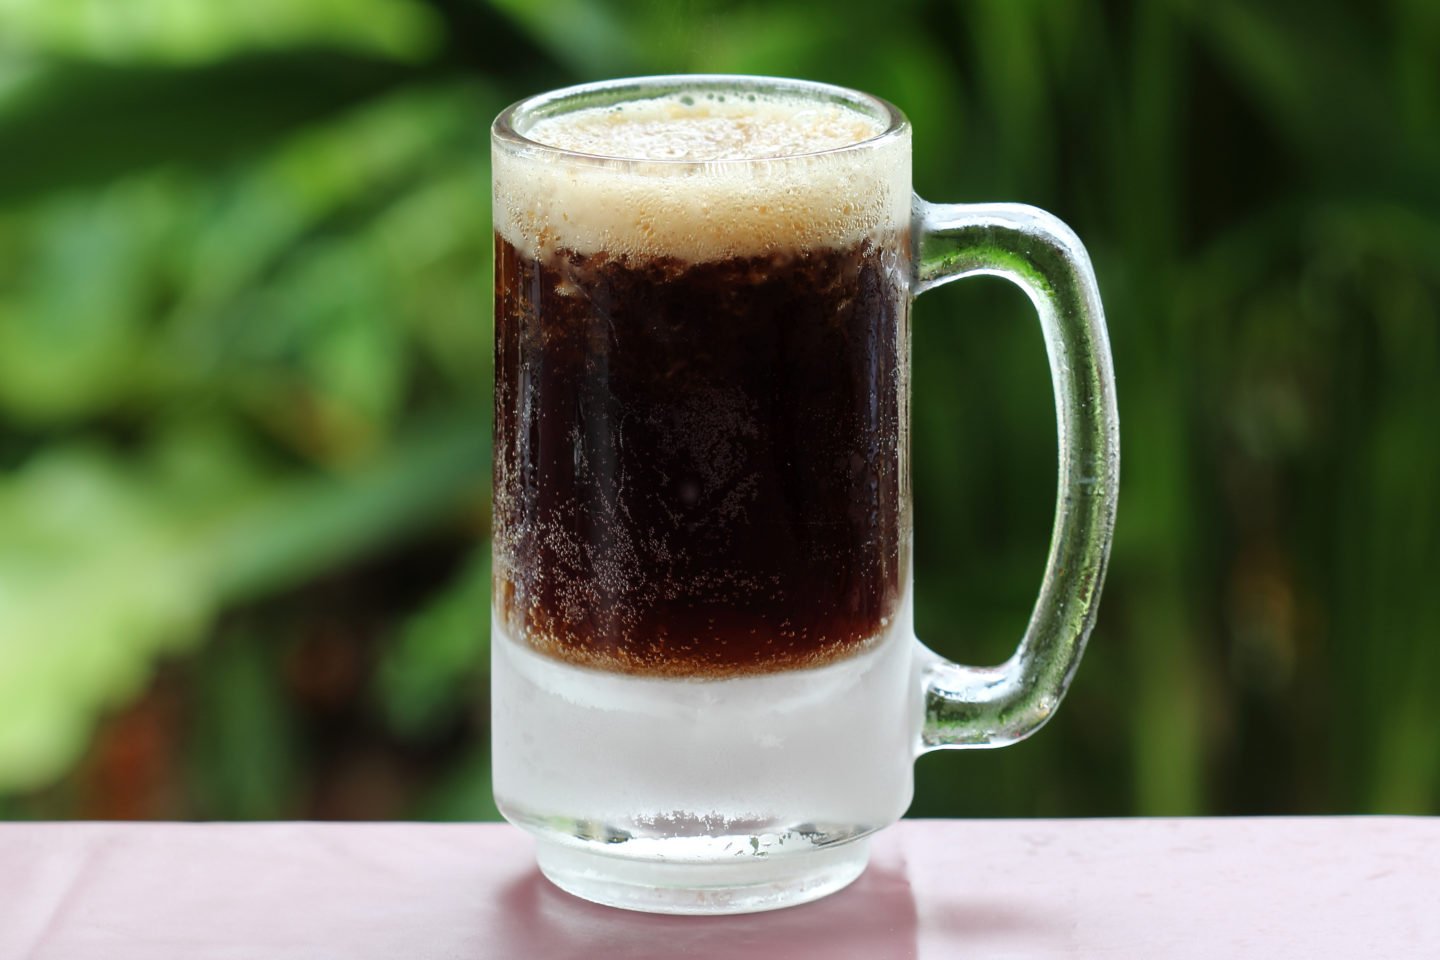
(702, 889)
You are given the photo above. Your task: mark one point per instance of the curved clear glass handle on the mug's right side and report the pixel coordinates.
(999, 706)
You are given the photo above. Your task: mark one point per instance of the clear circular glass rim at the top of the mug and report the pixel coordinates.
(509, 129)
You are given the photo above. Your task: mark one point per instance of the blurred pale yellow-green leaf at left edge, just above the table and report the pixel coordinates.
(96, 584)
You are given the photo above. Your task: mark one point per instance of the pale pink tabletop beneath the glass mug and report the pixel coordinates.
(935, 889)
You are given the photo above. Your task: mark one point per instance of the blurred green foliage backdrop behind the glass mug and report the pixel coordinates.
(246, 388)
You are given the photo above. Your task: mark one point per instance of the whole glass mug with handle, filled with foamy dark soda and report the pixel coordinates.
(706, 690)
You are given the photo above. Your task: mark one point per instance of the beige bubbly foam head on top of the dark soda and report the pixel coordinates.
(755, 178)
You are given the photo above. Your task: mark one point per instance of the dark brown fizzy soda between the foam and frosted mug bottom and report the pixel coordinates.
(699, 464)
